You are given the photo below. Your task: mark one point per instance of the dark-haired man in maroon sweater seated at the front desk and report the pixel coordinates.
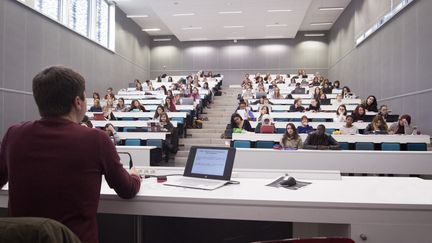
(54, 165)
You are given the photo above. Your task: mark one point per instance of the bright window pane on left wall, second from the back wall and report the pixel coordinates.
(79, 16)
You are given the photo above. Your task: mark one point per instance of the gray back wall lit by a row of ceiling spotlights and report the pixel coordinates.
(233, 60)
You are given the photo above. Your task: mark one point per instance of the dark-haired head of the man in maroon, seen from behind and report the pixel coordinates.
(55, 89)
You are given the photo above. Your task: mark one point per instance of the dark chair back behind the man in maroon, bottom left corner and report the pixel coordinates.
(23, 229)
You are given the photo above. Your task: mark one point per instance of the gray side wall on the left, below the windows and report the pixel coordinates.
(29, 42)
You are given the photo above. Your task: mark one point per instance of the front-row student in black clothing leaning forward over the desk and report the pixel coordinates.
(320, 140)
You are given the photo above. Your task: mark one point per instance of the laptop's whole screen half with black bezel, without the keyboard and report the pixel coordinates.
(210, 162)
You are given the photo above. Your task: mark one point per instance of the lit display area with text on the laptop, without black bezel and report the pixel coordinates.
(210, 162)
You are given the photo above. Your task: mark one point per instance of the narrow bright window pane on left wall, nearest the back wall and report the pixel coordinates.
(102, 22)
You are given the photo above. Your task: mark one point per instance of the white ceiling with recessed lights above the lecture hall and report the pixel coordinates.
(254, 22)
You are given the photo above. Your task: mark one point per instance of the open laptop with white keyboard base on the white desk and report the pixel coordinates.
(207, 168)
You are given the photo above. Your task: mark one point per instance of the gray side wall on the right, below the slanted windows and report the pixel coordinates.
(394, 61)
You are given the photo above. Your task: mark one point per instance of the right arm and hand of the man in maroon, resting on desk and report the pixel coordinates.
(126, 185)
